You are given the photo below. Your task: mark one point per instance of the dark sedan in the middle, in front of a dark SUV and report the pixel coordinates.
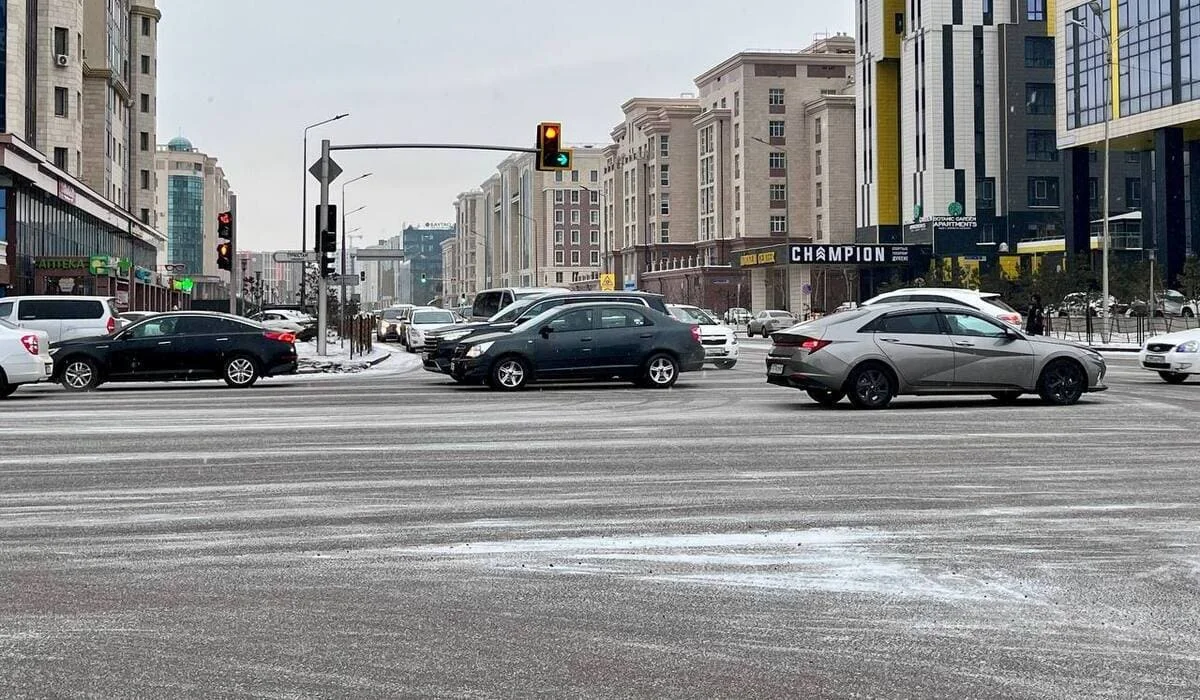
(584, 342)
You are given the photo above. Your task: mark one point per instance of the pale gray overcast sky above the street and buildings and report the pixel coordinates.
(243, 79)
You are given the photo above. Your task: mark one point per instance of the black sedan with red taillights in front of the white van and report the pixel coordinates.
(188, 345)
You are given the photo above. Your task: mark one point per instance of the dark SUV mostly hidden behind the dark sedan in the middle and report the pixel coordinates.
(440, 346)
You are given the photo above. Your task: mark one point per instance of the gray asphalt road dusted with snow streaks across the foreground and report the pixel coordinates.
(393, 535)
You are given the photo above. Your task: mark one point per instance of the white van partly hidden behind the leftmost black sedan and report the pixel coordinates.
(63, 318)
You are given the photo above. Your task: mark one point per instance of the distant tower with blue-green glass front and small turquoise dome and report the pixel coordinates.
(191, 192)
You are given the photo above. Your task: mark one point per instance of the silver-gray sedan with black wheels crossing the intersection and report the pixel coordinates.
(879, 352)
